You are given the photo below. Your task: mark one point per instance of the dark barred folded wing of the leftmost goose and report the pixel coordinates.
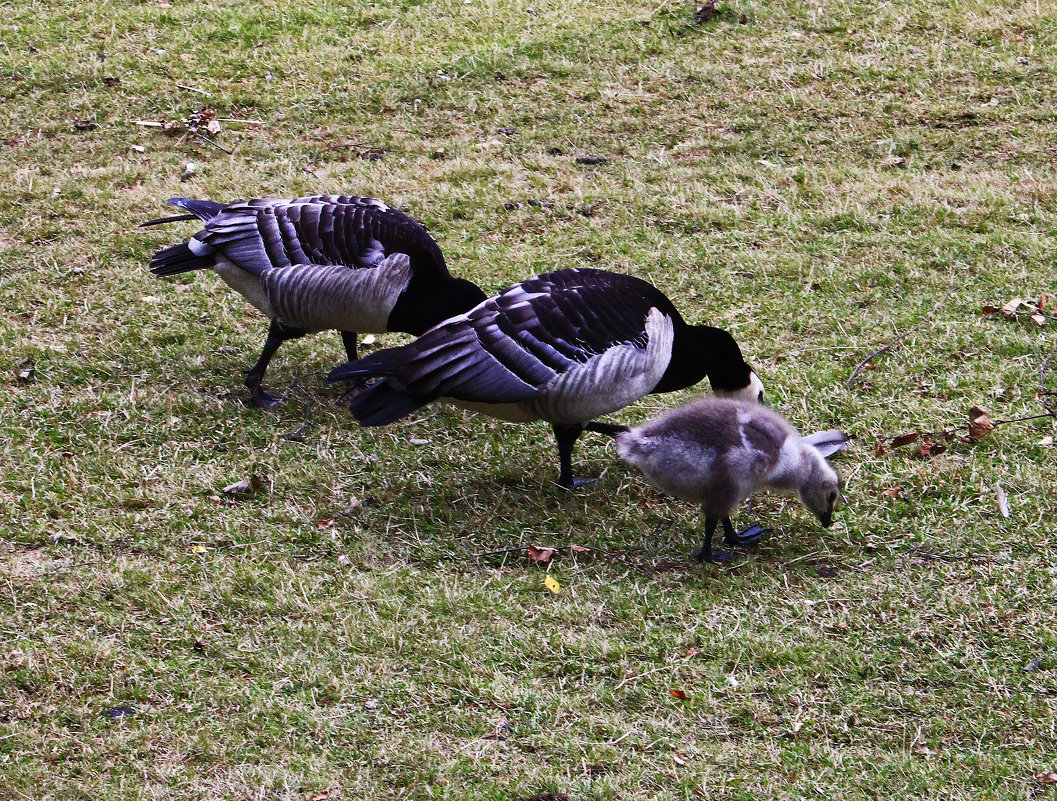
(327, 230)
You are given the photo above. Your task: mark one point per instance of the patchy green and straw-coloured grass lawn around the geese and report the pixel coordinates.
(819, 179)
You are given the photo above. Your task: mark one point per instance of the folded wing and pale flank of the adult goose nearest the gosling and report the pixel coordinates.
(567, 341)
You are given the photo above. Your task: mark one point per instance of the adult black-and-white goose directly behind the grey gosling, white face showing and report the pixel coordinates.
(565, 347)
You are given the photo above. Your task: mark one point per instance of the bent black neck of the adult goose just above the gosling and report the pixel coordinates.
(698, 351)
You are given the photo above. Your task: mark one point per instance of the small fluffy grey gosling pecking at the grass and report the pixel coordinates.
(719, 452)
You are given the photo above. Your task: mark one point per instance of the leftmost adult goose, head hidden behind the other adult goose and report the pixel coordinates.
(310, 265)
